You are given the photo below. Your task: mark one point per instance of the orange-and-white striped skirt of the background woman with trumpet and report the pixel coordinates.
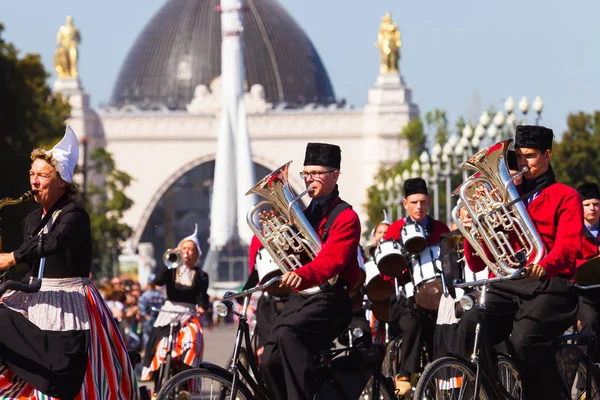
(188, 348)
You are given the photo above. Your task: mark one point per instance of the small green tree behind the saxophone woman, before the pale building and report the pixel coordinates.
(106, 204)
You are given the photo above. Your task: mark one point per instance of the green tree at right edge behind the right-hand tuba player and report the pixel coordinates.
(576, 159)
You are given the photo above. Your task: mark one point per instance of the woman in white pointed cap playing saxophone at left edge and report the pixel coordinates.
(61, 341)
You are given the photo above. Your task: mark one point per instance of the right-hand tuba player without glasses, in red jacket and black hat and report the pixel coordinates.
(532, 312)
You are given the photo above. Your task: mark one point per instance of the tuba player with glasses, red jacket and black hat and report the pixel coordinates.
(308, 323)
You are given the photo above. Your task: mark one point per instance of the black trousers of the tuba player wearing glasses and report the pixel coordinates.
(305, 326)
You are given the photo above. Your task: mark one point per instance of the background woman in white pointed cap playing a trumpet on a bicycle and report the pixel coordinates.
(187, 287)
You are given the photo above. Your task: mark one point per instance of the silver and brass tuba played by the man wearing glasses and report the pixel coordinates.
(285, 233)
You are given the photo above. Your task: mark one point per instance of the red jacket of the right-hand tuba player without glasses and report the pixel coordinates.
(557, 213)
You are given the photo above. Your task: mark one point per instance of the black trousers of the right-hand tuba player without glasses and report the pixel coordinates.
(530, 314)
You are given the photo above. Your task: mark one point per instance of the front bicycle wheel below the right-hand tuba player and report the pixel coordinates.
(448, 378)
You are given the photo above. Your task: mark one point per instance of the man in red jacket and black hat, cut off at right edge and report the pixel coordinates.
(589, 300)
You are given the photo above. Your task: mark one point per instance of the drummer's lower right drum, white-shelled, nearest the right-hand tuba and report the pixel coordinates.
(427, 279)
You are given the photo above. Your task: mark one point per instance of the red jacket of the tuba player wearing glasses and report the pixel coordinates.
(338, 256)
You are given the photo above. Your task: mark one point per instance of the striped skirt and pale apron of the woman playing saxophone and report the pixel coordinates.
(74, 304)
